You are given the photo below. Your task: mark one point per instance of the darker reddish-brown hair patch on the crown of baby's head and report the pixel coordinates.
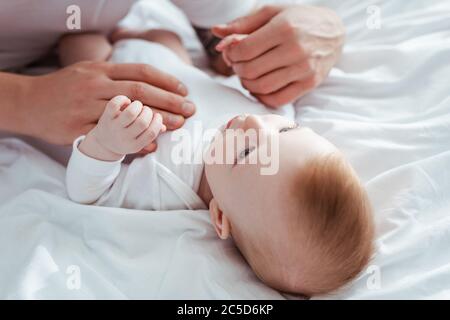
(340, 223)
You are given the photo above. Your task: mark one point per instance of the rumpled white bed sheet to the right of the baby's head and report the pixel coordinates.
(387, 106)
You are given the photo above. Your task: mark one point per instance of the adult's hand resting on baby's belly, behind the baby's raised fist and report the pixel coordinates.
(62, 105)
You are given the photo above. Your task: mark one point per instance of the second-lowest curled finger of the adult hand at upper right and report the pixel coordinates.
(280, 78)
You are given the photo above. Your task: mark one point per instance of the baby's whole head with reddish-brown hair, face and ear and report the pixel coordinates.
(306, 229)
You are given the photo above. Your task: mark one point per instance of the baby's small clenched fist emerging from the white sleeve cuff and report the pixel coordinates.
(125, 127)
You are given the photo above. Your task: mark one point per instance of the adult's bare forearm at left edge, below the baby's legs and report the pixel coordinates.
(13, 91)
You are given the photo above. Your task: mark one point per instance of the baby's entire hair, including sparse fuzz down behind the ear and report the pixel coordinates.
(328, 235)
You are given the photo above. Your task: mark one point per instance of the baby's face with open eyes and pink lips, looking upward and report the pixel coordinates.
(243, 193)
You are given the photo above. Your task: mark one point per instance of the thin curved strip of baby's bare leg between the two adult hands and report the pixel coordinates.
(164, 37)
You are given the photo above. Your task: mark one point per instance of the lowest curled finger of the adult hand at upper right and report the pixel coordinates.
(289, 93)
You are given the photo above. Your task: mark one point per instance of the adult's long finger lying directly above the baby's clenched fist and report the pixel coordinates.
(155, 97)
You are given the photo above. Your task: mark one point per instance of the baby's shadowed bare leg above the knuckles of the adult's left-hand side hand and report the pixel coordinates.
(74, 48)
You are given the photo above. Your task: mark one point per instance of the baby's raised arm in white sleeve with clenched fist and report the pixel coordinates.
(95, 164)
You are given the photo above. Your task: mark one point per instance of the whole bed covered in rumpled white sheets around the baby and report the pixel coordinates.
(386, 105)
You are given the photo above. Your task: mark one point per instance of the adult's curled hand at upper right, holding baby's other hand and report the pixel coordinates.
(289, 50)
